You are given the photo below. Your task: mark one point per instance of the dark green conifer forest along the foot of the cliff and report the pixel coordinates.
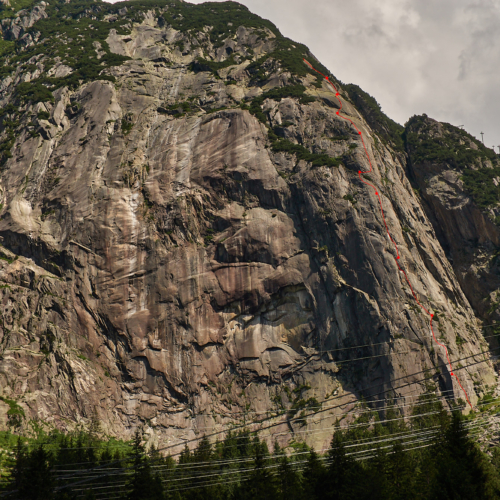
(430, 455)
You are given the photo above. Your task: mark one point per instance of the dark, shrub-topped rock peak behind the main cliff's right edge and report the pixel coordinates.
(458, 183)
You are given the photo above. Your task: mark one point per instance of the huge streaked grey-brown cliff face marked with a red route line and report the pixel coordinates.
(168, 261)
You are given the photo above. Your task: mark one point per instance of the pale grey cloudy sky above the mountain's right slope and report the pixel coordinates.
(439, 57)
